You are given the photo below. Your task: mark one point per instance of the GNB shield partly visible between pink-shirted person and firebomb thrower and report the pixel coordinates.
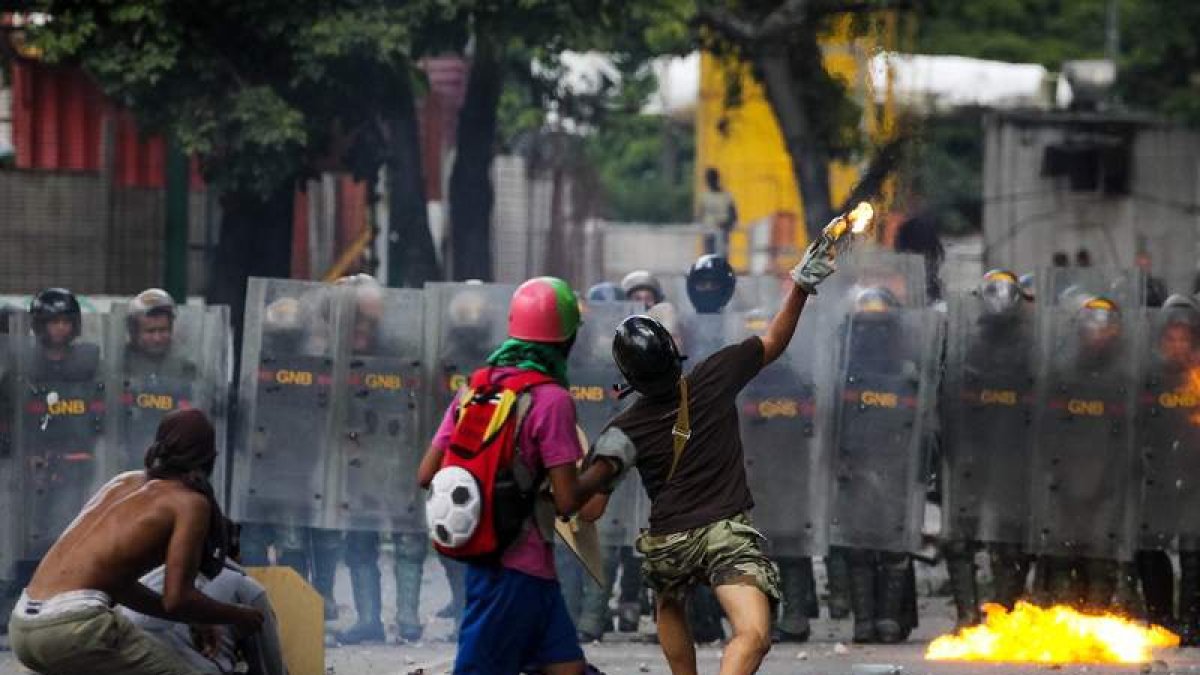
(593, 377)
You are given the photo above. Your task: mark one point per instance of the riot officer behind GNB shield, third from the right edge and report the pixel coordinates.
(986, 422)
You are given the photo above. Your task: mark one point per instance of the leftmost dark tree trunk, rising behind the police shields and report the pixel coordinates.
(256, 241)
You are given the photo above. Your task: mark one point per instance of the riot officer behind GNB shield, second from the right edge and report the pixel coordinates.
(1081, 518)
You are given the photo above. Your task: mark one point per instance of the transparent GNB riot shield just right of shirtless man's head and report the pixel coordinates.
(285, 398)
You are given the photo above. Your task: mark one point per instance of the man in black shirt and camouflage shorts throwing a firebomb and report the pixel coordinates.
(685, 434)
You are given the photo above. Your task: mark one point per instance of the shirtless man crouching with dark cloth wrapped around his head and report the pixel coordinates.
(65, 622)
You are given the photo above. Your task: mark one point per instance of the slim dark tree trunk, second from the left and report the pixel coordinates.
(412, 260)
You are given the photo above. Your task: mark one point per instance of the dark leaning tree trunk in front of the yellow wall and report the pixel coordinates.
(809, 154)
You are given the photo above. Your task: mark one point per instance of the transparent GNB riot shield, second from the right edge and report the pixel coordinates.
(1084, 469)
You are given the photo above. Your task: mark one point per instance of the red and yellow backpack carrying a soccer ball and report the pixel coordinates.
(484, 443)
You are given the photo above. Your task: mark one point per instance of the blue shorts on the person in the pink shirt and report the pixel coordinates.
(513, 622)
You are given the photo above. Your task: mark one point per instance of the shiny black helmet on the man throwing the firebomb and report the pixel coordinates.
(647, 356)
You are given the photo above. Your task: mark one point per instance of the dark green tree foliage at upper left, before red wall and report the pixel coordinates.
(261, 92)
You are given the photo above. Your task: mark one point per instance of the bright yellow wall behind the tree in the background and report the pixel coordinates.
(745, 144)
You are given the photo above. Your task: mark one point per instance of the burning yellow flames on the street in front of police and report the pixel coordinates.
(1055, 635)
